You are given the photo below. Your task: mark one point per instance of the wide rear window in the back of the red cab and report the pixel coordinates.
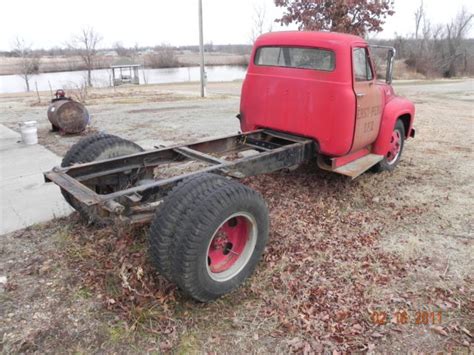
(296, 57)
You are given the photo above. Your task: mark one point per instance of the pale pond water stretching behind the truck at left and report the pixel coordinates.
(103, 78)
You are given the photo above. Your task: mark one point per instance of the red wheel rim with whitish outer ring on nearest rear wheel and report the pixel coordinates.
(231, 246)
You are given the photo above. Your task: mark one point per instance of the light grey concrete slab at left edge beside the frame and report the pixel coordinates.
(24, 197)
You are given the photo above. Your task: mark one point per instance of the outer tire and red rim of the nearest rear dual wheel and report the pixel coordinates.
(220, 242)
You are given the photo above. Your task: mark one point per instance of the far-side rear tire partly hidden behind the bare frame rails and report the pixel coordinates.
(96, 149)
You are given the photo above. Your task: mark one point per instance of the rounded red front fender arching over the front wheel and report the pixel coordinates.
(396, 108)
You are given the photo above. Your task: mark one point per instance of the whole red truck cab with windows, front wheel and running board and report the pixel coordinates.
(323, 86)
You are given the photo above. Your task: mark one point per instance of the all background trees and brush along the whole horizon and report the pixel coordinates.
(434, 50)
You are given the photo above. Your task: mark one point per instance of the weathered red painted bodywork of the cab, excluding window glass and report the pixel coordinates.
(322, 105)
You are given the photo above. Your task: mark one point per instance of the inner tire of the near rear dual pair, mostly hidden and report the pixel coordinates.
(172, 211)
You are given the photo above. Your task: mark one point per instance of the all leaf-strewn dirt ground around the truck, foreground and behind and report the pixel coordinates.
(383, 263)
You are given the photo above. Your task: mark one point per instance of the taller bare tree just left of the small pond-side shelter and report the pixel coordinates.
(85, 44)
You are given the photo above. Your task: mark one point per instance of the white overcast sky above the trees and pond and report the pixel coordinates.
(47, 23)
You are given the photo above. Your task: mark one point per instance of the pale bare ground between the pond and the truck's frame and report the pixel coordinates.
(148, 114)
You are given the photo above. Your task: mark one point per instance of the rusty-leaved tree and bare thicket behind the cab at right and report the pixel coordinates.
(434, 49)
